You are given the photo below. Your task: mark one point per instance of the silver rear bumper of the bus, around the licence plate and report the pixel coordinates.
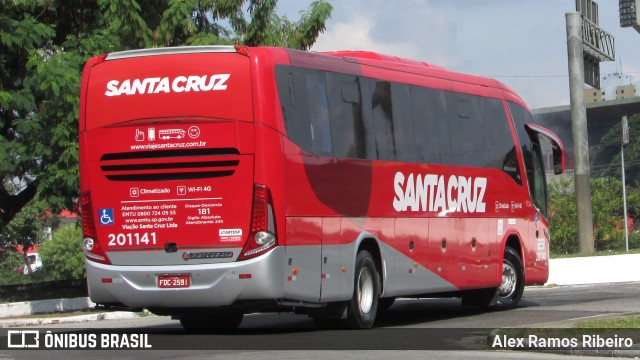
(212, 285)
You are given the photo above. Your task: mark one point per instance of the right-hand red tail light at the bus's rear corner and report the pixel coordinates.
(263, 227)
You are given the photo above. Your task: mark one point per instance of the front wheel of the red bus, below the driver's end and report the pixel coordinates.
(512, 286)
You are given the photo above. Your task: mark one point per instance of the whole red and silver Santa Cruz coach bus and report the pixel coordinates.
(221, 180)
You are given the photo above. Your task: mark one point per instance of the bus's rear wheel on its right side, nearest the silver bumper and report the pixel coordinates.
(361, 312)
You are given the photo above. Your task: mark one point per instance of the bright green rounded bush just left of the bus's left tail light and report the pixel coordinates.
(63, 256)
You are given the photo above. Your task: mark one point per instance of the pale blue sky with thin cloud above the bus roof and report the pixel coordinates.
(521, 43)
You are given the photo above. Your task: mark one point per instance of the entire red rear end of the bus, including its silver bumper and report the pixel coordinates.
(172, 217)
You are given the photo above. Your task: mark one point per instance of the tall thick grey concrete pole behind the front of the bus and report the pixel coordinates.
(582, 171)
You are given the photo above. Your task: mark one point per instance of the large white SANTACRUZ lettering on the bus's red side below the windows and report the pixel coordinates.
(436, 193)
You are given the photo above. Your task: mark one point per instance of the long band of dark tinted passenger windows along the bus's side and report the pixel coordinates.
(347, 116)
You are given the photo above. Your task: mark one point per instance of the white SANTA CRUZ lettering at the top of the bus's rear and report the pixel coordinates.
(167, 85)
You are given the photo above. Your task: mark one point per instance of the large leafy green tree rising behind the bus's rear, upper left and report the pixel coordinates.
(45, 43)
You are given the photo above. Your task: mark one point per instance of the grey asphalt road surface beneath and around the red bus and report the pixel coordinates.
(405, 330)
